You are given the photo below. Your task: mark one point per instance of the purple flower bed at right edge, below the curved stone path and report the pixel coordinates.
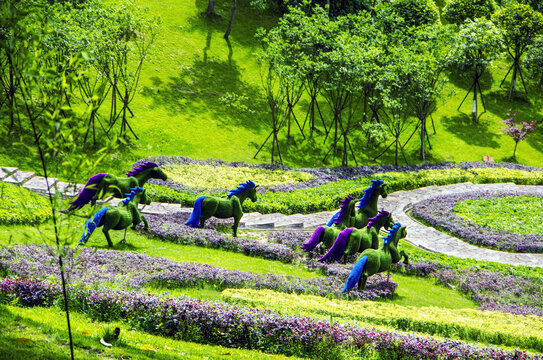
(492, 290)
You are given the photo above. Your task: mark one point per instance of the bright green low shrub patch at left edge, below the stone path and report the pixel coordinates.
(21, 206)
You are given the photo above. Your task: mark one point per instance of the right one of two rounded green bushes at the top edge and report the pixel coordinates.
(457, 11)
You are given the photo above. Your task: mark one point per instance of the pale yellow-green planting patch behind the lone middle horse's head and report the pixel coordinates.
(211, 177)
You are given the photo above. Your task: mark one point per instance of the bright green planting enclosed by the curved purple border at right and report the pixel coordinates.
(524, 214)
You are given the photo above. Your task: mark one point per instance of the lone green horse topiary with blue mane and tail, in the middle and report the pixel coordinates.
(208, 206)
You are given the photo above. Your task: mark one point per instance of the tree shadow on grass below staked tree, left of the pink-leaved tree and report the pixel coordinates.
(473, 134)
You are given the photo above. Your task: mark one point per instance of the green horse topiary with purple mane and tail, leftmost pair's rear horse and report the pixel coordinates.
(101, 184)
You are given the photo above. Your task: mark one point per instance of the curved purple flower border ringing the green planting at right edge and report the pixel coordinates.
(438, 212)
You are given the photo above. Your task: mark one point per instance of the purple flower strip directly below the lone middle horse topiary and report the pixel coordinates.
(170, 227)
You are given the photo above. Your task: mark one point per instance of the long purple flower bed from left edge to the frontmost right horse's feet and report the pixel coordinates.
(93, 266)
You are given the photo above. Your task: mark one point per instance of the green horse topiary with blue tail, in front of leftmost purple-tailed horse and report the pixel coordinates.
(126, 213)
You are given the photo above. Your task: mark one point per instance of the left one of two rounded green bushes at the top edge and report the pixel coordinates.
(417, 12)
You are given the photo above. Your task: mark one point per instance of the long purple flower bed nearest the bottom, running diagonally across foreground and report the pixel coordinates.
(235, 326)
